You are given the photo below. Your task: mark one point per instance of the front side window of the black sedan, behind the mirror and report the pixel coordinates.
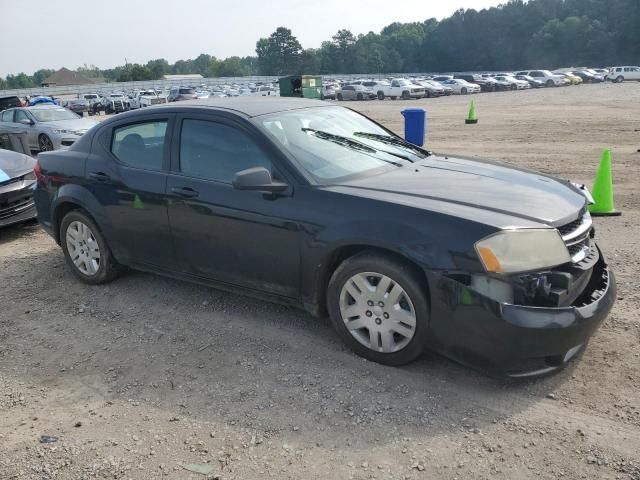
(216, 151)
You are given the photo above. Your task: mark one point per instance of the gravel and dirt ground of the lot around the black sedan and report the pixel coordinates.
(140, 377)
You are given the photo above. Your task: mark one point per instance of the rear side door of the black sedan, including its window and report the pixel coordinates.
(127, 175)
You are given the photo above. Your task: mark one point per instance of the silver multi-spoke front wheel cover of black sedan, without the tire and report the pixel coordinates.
(377, 312)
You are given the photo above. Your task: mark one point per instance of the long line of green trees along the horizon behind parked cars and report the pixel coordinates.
(517, 34)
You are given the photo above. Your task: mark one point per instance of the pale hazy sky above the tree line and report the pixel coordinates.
(72, 33)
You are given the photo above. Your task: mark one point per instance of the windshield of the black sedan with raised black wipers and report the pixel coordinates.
(329, 144)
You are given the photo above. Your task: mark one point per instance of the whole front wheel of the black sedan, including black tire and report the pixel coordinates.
(412, 307)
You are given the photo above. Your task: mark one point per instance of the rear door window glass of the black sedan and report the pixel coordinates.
(140, 145)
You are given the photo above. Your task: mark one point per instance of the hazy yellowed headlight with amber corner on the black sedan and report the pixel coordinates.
(511, 251)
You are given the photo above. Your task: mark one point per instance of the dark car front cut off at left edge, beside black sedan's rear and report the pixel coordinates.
(17, 179)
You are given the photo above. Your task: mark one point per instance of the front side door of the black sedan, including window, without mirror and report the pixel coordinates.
(238, 237)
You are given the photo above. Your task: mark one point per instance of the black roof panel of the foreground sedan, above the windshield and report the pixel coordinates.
(251, 106)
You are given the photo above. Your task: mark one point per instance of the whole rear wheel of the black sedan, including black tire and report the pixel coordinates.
(105, 268)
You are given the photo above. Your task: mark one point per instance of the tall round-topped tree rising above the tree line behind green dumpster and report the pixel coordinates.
(279, 54)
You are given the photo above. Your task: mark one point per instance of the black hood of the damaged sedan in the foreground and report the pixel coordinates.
(492, 193)
